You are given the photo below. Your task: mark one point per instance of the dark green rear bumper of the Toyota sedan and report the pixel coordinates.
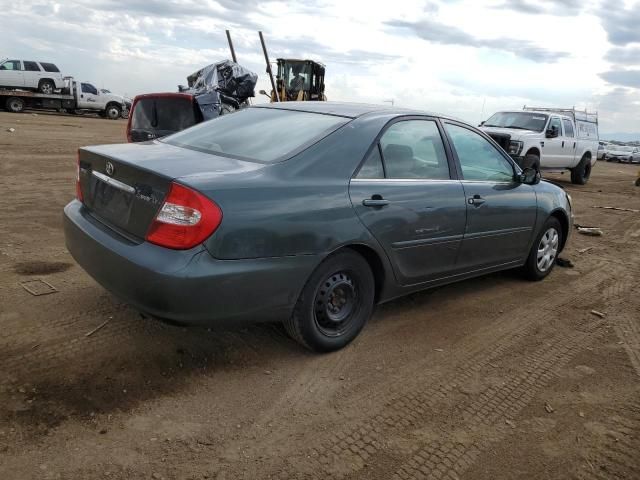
(189, 286)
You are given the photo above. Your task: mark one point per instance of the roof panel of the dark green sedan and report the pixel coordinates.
(346, 109)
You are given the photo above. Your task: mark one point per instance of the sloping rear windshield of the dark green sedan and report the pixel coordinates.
(258, 134)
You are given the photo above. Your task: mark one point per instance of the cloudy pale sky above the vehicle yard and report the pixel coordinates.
(467, 58)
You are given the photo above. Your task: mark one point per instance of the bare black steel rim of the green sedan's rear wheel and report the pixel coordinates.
(335, 304)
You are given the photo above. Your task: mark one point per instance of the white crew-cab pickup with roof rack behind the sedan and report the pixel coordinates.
(548, 139)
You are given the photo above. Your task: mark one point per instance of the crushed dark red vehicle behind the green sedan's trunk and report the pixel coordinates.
(212, 91)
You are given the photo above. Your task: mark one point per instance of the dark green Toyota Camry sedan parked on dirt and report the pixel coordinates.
(230, 221)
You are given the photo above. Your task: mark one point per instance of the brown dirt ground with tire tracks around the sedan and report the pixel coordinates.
(493, 378)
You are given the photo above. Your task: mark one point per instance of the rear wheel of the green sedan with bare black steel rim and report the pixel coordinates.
(317, 322)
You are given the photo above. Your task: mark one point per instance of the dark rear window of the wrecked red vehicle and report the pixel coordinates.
(163, 113)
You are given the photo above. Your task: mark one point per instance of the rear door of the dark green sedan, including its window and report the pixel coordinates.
(406, 196)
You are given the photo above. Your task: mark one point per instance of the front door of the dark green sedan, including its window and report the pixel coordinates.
(501, 212)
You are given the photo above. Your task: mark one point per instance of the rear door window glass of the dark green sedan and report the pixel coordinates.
(413, 149)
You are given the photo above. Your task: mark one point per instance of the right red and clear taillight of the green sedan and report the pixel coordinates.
(186, 219)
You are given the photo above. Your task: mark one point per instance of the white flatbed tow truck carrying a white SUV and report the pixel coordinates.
(74, 97)
